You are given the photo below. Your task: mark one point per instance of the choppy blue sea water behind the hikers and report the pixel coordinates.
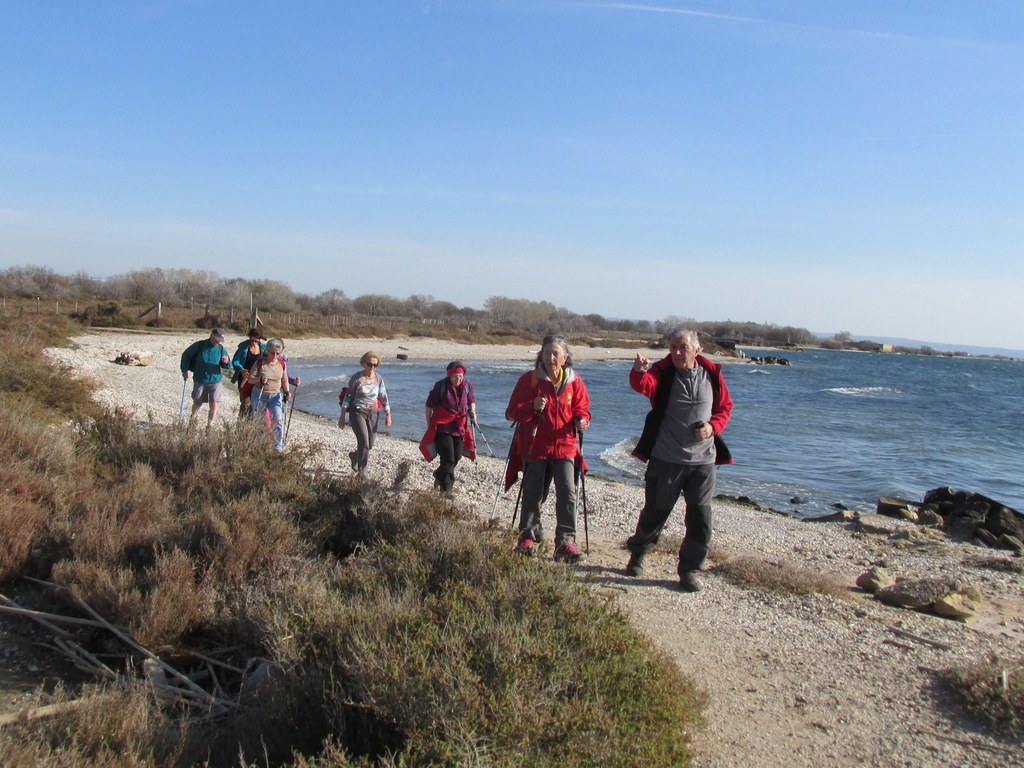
(833, 428)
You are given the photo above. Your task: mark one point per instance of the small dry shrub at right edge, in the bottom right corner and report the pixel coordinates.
(994, 693)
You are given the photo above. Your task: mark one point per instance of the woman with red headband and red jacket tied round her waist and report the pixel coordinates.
(450, 406)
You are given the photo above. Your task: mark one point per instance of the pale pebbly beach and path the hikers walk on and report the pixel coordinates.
(793, 681)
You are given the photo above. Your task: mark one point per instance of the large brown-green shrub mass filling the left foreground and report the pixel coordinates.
(350, 623)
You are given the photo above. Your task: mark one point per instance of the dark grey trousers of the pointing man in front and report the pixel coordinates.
(664, 483)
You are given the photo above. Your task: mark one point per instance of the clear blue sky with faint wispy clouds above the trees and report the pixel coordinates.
(839, 166)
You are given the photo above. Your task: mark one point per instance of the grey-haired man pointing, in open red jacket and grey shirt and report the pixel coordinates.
(691, 407)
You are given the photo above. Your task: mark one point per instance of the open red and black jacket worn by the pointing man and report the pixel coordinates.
(656, 385)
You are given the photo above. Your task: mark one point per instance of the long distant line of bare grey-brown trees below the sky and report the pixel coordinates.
(185, 287)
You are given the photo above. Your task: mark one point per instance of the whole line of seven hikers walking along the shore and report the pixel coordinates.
(681, 444)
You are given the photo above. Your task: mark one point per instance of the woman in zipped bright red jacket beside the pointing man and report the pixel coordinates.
(551, 408)
